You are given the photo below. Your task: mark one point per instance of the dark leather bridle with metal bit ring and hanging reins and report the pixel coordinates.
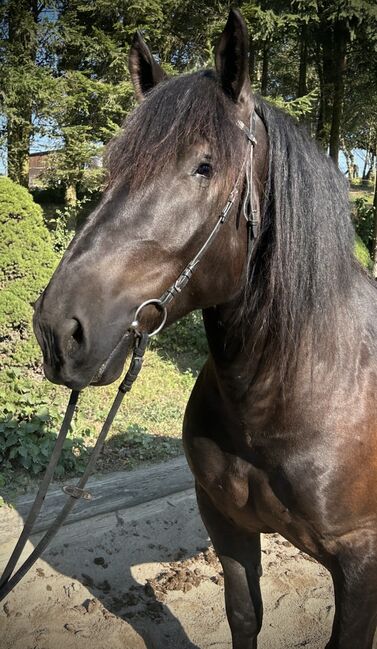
(10, 578)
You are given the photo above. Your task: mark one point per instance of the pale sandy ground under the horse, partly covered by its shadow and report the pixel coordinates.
(147, 578)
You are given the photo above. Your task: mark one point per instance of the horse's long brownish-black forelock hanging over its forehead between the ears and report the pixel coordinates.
(177, 114)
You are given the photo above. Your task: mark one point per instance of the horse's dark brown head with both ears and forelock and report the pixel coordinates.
(171, 170)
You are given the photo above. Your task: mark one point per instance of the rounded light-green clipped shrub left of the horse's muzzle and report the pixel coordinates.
(27, 262)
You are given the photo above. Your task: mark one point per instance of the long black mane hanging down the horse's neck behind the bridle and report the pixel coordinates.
(304, 262)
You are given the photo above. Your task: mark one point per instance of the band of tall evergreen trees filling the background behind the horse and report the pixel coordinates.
(64, 68)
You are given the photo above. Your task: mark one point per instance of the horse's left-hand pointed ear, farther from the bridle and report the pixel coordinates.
(145, 72)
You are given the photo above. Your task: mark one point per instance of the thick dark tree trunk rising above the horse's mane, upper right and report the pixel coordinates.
(340, 46)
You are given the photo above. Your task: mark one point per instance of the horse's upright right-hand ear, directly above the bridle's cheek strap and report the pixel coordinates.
(232, 59)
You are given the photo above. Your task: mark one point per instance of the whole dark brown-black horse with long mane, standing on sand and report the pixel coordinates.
(281, 428)
